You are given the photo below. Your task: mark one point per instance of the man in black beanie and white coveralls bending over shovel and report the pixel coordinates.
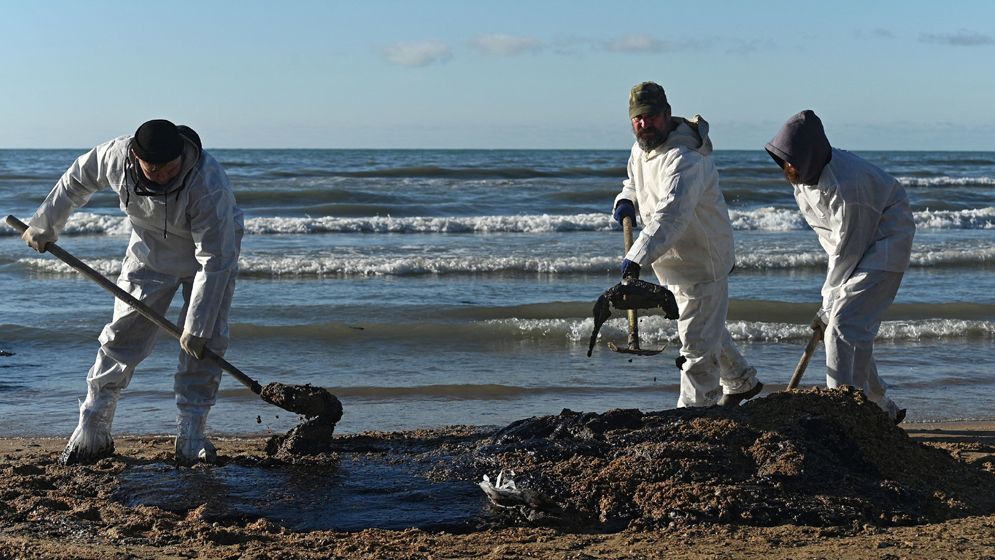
(186, 234)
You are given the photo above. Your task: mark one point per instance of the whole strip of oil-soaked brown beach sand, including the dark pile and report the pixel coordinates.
(809, 474)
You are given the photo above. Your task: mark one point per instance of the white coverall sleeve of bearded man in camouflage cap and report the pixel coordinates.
(680, 186)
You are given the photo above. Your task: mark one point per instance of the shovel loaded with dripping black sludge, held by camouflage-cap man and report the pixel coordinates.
(631, 294)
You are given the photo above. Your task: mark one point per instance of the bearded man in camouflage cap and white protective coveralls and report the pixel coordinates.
(687, 239)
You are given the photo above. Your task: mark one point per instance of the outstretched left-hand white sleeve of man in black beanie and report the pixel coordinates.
(87, 175)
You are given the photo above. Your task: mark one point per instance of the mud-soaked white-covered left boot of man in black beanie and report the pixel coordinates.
(91, 440)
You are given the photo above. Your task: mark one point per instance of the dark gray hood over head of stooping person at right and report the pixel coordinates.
(802, 142)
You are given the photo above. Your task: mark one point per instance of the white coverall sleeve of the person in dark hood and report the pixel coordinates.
(854, 227)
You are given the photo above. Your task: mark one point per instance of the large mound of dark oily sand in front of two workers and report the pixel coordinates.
(816, 457)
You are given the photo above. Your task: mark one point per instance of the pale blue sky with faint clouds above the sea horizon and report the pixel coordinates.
(508, 74)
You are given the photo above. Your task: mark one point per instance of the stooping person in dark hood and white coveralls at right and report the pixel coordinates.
(863, 220)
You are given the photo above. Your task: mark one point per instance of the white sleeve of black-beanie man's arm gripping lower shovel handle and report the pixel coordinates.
(216, 245)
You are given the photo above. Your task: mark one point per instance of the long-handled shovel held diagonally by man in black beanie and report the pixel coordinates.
(300, 399)
